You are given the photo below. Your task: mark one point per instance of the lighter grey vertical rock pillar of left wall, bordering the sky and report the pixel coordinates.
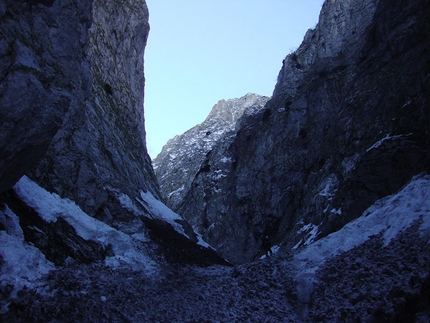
(100, 150)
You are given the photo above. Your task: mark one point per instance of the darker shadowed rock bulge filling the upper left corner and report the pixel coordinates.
(44, 73)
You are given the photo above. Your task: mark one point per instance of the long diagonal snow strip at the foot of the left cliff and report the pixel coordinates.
(50, 207)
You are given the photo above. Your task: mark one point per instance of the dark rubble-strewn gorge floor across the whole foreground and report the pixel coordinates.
(370, 283)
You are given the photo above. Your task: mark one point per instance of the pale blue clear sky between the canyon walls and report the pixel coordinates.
(202, 51)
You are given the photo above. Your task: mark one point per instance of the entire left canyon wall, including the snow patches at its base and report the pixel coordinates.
(72, 104)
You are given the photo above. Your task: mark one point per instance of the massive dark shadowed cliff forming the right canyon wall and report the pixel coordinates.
(348, 124)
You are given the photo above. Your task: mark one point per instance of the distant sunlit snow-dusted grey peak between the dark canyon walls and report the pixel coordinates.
(182, 156)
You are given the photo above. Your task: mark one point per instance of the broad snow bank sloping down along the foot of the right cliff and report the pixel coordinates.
(389, 216)
